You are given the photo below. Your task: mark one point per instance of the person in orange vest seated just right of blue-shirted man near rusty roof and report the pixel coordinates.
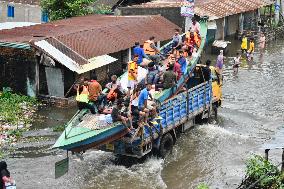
(151, 50)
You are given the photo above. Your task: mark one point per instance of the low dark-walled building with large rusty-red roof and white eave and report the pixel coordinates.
(46, 59)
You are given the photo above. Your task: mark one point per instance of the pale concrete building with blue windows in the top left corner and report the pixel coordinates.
(21, 11)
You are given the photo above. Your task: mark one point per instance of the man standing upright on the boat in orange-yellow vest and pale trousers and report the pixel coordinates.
(132, 73)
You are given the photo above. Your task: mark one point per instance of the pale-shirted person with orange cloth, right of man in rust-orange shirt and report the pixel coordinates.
(115, 89)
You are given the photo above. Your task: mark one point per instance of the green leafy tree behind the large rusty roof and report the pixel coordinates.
(61, 9)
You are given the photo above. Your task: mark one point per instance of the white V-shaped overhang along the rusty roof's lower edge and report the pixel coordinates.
(65, 60)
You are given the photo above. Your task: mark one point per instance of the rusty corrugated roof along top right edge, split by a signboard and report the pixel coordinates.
(212, 8)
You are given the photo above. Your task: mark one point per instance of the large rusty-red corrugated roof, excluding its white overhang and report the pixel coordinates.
(82, 38)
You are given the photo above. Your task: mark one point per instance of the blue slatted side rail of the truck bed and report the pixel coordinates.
(177, 110)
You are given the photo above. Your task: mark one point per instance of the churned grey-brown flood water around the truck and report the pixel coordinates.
(252, 112)
